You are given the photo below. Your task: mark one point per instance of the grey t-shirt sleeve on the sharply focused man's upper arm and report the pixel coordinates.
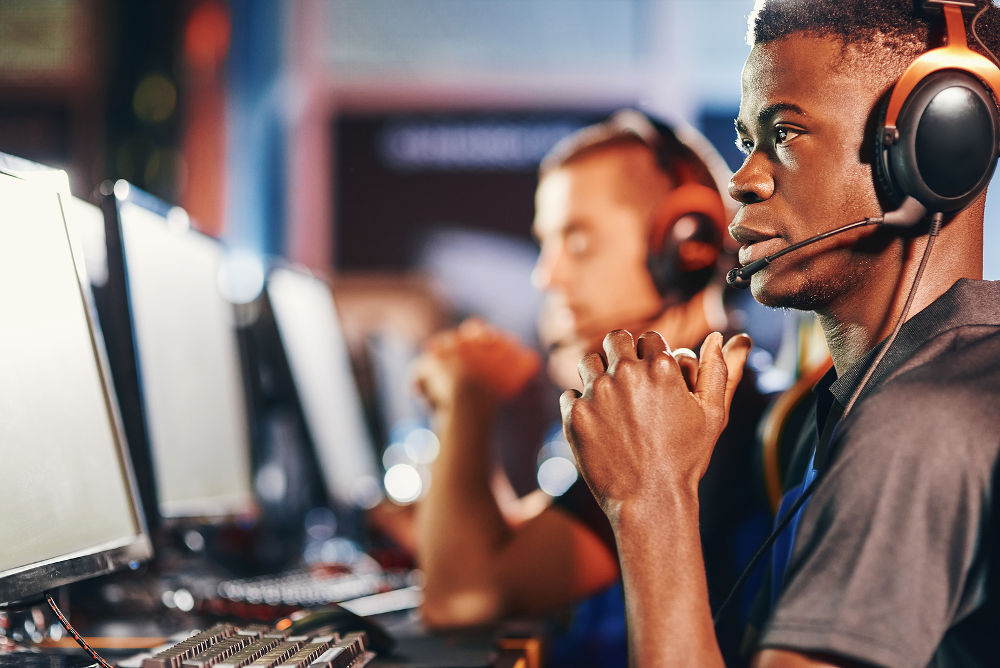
(883, 562)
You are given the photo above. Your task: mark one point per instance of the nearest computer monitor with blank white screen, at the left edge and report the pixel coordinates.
(69, 501)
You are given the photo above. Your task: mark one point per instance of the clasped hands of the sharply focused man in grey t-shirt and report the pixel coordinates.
(646, 425)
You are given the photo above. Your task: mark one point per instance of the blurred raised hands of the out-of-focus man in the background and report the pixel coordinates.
(475, 357)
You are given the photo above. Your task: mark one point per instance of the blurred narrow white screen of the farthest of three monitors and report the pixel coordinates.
(320, 366)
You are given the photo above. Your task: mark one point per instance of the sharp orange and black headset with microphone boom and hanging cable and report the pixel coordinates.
(936, 149)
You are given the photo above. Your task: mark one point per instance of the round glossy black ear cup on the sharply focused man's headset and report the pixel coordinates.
(945, 146)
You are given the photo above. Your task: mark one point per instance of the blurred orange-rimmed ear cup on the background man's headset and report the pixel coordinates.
(685, 241)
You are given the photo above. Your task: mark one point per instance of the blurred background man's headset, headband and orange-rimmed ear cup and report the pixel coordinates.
(689, 223)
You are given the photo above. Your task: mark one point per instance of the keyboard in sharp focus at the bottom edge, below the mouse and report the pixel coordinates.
(229, 646)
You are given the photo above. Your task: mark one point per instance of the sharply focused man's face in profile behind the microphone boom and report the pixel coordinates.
(804, 110)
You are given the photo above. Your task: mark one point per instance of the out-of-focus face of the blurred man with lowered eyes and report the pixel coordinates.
(593, 240)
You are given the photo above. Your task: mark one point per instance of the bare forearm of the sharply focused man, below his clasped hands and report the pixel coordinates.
(666, 595)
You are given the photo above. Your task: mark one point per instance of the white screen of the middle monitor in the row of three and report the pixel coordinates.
(187, 362)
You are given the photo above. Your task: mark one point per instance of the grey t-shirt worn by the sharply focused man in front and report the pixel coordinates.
(894, 561)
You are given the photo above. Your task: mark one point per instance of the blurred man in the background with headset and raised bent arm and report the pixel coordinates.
(630, 221)
